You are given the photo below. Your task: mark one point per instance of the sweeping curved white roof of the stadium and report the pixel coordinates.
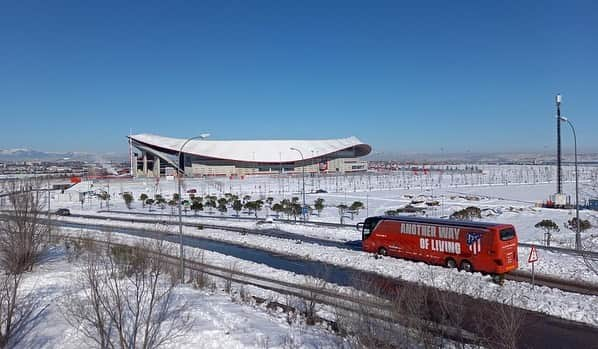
(264, 151)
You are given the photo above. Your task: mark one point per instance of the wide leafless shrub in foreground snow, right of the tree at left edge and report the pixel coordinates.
(126, 300)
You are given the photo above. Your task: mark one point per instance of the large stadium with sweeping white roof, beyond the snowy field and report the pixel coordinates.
(153, 156)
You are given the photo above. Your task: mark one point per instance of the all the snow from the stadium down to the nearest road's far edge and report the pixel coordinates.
(506, 194)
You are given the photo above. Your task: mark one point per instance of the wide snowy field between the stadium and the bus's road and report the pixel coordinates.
(505, 194)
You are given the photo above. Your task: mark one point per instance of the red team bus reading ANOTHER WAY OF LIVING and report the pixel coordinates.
(471, 246)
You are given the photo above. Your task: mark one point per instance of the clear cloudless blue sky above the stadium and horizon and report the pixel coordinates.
(412, 76)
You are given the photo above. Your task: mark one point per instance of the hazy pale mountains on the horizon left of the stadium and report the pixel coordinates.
(11, 155)
